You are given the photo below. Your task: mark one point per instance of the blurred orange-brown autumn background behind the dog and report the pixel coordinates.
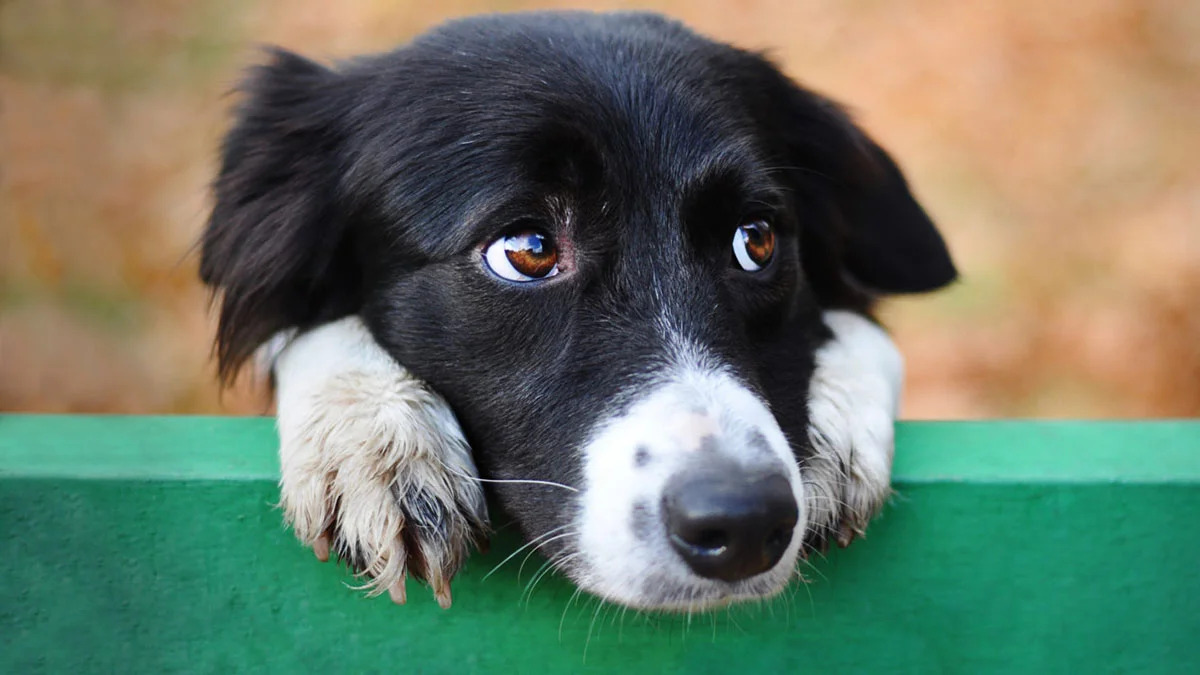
(1058, 145)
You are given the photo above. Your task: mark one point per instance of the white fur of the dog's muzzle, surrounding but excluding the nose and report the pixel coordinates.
(669, 425)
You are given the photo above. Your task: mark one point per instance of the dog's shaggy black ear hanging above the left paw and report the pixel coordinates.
(275, 249)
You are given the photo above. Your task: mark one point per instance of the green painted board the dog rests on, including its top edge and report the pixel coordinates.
(151, 545)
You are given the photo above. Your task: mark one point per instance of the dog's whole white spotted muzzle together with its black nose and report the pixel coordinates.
(699, 426)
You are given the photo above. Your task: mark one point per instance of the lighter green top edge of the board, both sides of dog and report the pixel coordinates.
(243, 449)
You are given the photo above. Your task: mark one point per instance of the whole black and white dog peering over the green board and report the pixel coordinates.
(627, 272)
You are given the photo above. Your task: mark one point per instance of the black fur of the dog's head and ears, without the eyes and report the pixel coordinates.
(374, 188)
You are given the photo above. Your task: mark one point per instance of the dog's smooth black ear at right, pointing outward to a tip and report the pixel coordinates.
(877, 237)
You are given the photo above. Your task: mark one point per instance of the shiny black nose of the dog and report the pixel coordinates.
(729, 524)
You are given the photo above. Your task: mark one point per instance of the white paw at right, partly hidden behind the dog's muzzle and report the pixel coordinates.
(854, 401)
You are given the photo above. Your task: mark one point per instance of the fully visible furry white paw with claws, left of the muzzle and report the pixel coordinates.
(374, 464)
